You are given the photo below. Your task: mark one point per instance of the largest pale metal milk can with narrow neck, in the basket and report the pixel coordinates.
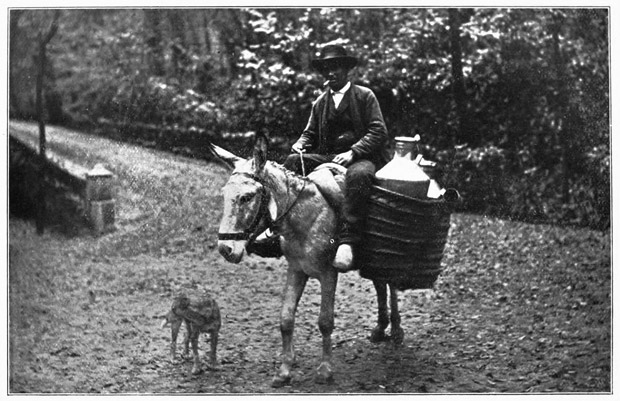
(402, 174)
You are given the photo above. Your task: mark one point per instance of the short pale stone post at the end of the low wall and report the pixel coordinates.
(100, 204)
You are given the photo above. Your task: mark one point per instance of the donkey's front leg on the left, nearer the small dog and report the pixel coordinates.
(295, 284)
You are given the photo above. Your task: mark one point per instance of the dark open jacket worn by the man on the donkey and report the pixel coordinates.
(370, 131)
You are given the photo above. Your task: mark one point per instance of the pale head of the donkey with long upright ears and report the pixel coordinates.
(246, 202)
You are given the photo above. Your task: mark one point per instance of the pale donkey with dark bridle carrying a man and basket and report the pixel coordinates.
(259, 189)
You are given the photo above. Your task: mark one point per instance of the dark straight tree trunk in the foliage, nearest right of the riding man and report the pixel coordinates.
(458, 86)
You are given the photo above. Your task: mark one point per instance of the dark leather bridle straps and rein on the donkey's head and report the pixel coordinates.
(254, 229)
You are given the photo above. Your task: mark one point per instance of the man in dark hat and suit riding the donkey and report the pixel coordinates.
(345, 127)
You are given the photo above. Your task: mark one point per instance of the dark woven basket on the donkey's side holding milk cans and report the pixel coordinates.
(404, 239)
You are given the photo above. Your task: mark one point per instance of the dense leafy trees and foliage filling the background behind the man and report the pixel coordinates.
(513, 102)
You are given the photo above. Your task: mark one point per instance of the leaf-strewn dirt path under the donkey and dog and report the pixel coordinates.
(519, 309)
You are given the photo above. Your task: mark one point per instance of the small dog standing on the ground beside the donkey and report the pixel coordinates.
(200, 314)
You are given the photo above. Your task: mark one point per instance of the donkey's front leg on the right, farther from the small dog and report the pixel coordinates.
(325, 373)
